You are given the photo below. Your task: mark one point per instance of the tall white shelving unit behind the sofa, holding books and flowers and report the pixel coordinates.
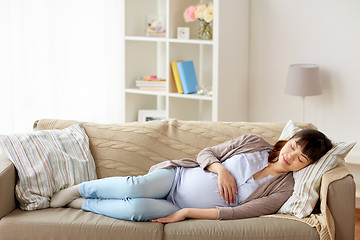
(220, 63)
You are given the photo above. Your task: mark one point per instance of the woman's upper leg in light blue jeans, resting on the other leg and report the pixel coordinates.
(152, 185)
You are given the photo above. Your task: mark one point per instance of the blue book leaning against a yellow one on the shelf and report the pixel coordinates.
(188, 76)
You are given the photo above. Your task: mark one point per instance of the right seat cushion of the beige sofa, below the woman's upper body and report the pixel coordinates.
(251, 228)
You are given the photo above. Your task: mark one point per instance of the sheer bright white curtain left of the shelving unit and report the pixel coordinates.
(59, 59)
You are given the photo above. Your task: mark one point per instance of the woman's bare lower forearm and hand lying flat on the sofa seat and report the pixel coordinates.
(182, 214)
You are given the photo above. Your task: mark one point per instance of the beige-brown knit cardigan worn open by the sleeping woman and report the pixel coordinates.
(266, 199)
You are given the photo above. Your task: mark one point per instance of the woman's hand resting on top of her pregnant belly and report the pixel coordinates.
(226, 182)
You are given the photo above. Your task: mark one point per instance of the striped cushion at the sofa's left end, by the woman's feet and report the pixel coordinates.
(48, 161)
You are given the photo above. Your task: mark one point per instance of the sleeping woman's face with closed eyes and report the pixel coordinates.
(291, 157)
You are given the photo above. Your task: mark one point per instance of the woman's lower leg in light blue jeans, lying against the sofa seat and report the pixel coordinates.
(134, 209)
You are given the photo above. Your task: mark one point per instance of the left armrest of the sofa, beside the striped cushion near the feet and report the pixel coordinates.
(7, 186)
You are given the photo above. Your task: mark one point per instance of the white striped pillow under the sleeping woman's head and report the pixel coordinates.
(307, 180)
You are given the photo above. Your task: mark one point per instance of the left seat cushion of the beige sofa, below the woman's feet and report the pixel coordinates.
(67, 223)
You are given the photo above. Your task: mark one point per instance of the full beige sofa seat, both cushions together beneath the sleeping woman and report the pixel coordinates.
(67, 223)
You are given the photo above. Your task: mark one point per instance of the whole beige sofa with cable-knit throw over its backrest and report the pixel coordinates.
(130, 149)
